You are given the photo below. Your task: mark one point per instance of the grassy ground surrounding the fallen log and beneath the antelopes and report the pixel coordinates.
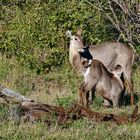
(59, 87)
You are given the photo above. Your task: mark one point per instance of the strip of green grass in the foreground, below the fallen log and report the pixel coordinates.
(82, 129)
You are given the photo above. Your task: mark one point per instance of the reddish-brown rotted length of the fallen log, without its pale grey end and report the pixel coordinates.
(70, 114)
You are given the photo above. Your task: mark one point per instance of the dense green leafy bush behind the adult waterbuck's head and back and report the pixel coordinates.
(34, 31)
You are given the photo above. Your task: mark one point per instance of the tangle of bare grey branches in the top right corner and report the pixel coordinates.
(125, 18)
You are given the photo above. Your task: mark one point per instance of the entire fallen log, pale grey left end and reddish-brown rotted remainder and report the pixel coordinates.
(33, 111)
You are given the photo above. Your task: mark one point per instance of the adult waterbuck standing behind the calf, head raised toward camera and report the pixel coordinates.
(111, 54)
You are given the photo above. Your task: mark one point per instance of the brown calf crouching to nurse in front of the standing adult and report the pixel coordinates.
(98, 78)
